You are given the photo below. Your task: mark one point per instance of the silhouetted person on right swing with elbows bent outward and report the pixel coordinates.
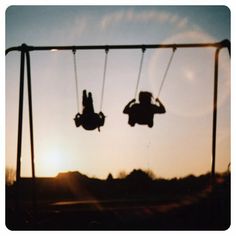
(143, 112)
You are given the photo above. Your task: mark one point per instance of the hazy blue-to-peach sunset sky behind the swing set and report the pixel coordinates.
(179, 144)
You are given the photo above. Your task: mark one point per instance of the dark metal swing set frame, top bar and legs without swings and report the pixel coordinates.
(25, 56)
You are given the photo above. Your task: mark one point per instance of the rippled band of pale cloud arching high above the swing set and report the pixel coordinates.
(160, 17)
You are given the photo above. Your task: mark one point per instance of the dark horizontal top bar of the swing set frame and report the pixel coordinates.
(26, 48)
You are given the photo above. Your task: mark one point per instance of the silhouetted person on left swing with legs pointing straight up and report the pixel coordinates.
(89, 120)
